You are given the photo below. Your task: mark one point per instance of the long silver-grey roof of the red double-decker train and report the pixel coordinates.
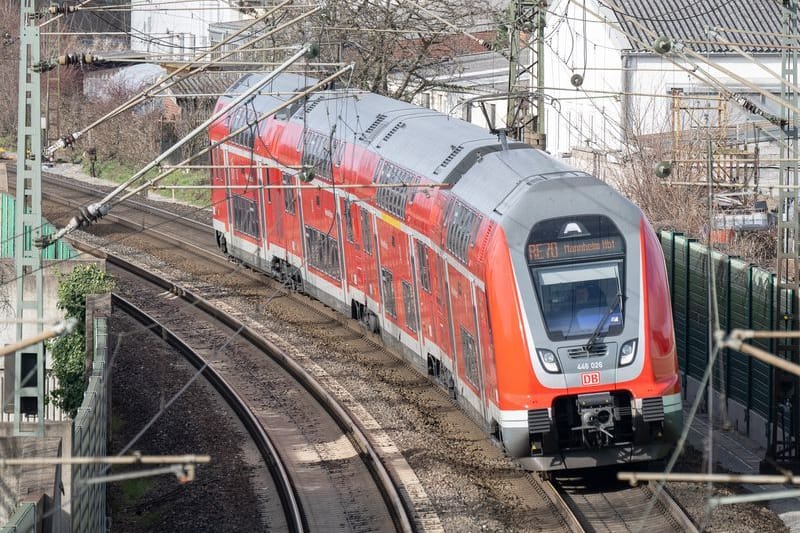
(444, 149)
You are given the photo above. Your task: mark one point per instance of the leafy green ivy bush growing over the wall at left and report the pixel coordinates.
(69, 351)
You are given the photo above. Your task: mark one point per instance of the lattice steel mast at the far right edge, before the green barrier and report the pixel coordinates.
(784, 449)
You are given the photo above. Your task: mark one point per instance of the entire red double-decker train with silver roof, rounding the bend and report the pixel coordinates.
(536, 293)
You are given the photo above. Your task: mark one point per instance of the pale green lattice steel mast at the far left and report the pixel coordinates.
(29, 362)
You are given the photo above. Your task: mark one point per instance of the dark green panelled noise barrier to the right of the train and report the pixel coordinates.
(746, 298)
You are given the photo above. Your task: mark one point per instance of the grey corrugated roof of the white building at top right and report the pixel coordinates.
(752, 24)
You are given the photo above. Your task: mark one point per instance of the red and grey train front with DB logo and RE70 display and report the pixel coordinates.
(598, 383)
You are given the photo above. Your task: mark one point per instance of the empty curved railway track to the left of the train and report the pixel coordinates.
(307, 505)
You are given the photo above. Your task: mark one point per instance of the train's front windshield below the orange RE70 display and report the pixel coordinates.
(581, 300)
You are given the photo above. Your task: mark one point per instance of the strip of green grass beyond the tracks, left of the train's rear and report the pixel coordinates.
(119, 172)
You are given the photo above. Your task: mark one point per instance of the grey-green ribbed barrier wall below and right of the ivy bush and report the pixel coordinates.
(89, 437)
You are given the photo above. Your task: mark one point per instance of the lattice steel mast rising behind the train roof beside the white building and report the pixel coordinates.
(526, 72)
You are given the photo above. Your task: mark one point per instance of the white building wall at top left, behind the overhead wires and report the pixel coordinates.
(180, 31)
